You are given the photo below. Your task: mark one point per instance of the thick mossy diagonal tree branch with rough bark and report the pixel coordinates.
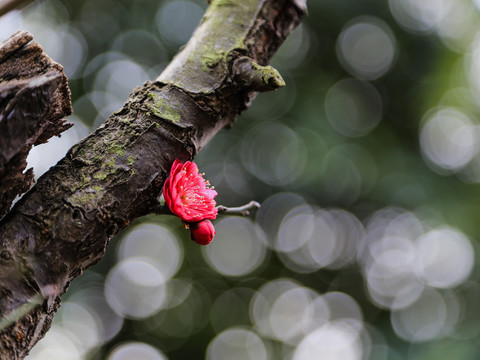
(64, 223)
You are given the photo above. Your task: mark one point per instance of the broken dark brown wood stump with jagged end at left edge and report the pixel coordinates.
(34, 97)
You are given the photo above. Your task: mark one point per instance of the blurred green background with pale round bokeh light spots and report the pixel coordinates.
(367, 166)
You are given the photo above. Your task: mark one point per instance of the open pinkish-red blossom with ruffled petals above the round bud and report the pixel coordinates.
(187, 194)
